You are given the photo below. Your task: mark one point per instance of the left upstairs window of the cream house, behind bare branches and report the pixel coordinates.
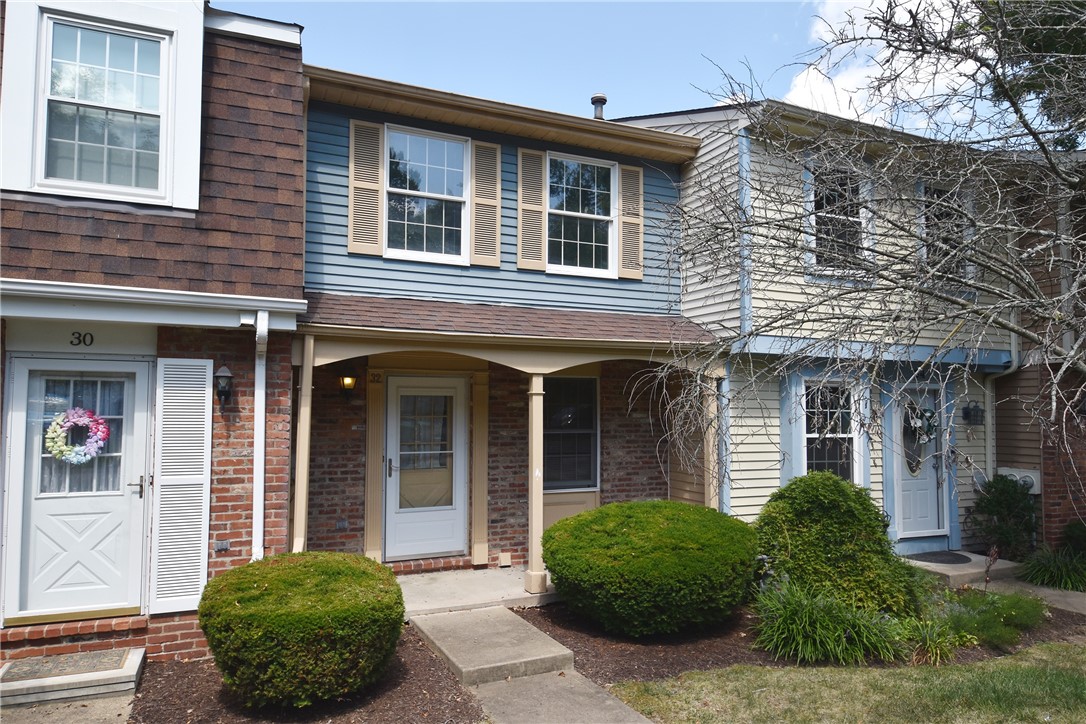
(839, 223)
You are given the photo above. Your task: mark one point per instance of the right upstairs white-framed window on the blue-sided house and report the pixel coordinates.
(582, 209)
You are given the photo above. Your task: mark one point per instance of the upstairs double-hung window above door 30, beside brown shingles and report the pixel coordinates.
(105, 107)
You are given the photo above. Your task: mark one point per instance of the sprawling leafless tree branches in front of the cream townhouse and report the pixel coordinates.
(948, 217)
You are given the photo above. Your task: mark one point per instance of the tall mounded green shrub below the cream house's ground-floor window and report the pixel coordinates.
(826, 534)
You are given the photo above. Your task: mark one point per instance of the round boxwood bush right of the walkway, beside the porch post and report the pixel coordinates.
(651, 567)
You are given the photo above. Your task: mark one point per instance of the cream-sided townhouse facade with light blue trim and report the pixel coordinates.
(827, 366)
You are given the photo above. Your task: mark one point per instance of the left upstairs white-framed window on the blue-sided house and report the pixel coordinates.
(426, 197)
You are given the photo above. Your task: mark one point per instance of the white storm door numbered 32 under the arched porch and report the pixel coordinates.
(426, 468)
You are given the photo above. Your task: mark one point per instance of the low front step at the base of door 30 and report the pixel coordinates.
(71, 676)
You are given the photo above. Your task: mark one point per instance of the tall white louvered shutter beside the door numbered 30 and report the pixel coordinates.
(182, 491)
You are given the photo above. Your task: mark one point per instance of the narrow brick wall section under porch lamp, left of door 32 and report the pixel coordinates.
(337, 465)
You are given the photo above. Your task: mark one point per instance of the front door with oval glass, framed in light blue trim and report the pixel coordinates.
(920, 466)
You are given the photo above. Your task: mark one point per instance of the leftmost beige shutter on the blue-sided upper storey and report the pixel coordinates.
(365, 183)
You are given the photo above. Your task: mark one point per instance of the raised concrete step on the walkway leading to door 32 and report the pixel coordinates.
(491, 644)
